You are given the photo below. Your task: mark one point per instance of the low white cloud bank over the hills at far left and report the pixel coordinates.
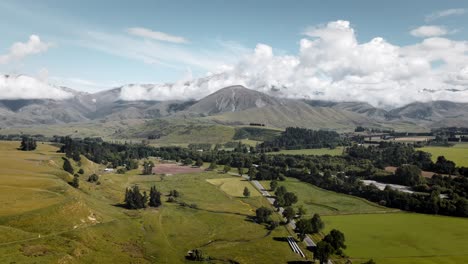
(24, 87)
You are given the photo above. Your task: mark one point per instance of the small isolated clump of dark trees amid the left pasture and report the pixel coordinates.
(134, 199)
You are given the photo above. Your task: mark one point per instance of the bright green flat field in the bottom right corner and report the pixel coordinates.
(403, 237)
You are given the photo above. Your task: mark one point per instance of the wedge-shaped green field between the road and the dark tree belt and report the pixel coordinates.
(323, 202)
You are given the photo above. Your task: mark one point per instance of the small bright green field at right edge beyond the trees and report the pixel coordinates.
(457, 153)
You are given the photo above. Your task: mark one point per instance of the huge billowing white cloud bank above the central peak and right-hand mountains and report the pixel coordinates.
(332, 65)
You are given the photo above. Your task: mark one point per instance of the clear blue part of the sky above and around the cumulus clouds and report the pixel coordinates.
(90, 44)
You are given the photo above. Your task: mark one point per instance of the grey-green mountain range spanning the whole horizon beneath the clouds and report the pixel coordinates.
(233, 105)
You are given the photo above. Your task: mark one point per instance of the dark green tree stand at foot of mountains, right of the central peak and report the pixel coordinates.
(302, 138)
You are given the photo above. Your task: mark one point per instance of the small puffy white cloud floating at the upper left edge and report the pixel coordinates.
(20, 50)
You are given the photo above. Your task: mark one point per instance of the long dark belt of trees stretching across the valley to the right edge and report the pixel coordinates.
(340, 173)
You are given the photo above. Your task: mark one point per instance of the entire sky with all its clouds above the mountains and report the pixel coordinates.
(387, 53)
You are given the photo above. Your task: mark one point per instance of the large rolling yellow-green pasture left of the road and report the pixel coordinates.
(44, 220)
